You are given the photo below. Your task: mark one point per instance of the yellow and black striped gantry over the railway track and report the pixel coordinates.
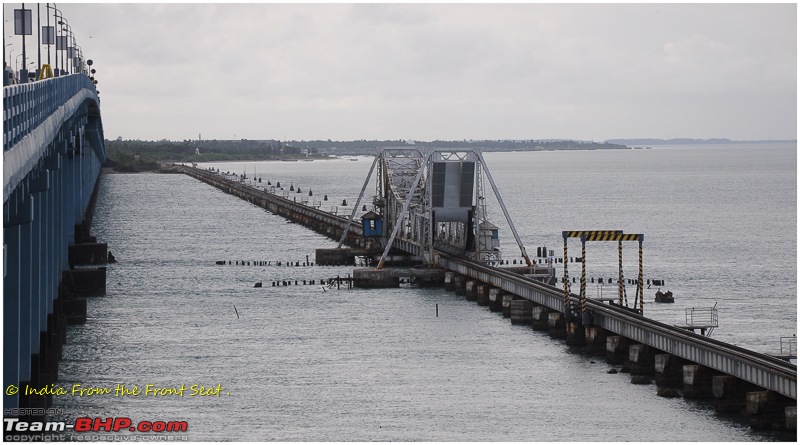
(603, 235)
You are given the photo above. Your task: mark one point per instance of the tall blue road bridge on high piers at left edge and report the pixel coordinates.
(53, 150)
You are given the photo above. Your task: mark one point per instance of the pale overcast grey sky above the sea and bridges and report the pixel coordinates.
(447, 71)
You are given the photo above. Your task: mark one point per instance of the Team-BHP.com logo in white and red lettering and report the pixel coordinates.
(88, 424)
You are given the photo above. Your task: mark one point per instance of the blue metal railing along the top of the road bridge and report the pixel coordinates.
(26, 106)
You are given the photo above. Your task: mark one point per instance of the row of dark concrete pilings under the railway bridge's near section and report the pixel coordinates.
(672, 375)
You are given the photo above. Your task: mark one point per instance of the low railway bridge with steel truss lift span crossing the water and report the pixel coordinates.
(429, 206)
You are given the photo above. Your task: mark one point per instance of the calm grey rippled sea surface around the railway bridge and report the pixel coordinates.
(297, 363)
